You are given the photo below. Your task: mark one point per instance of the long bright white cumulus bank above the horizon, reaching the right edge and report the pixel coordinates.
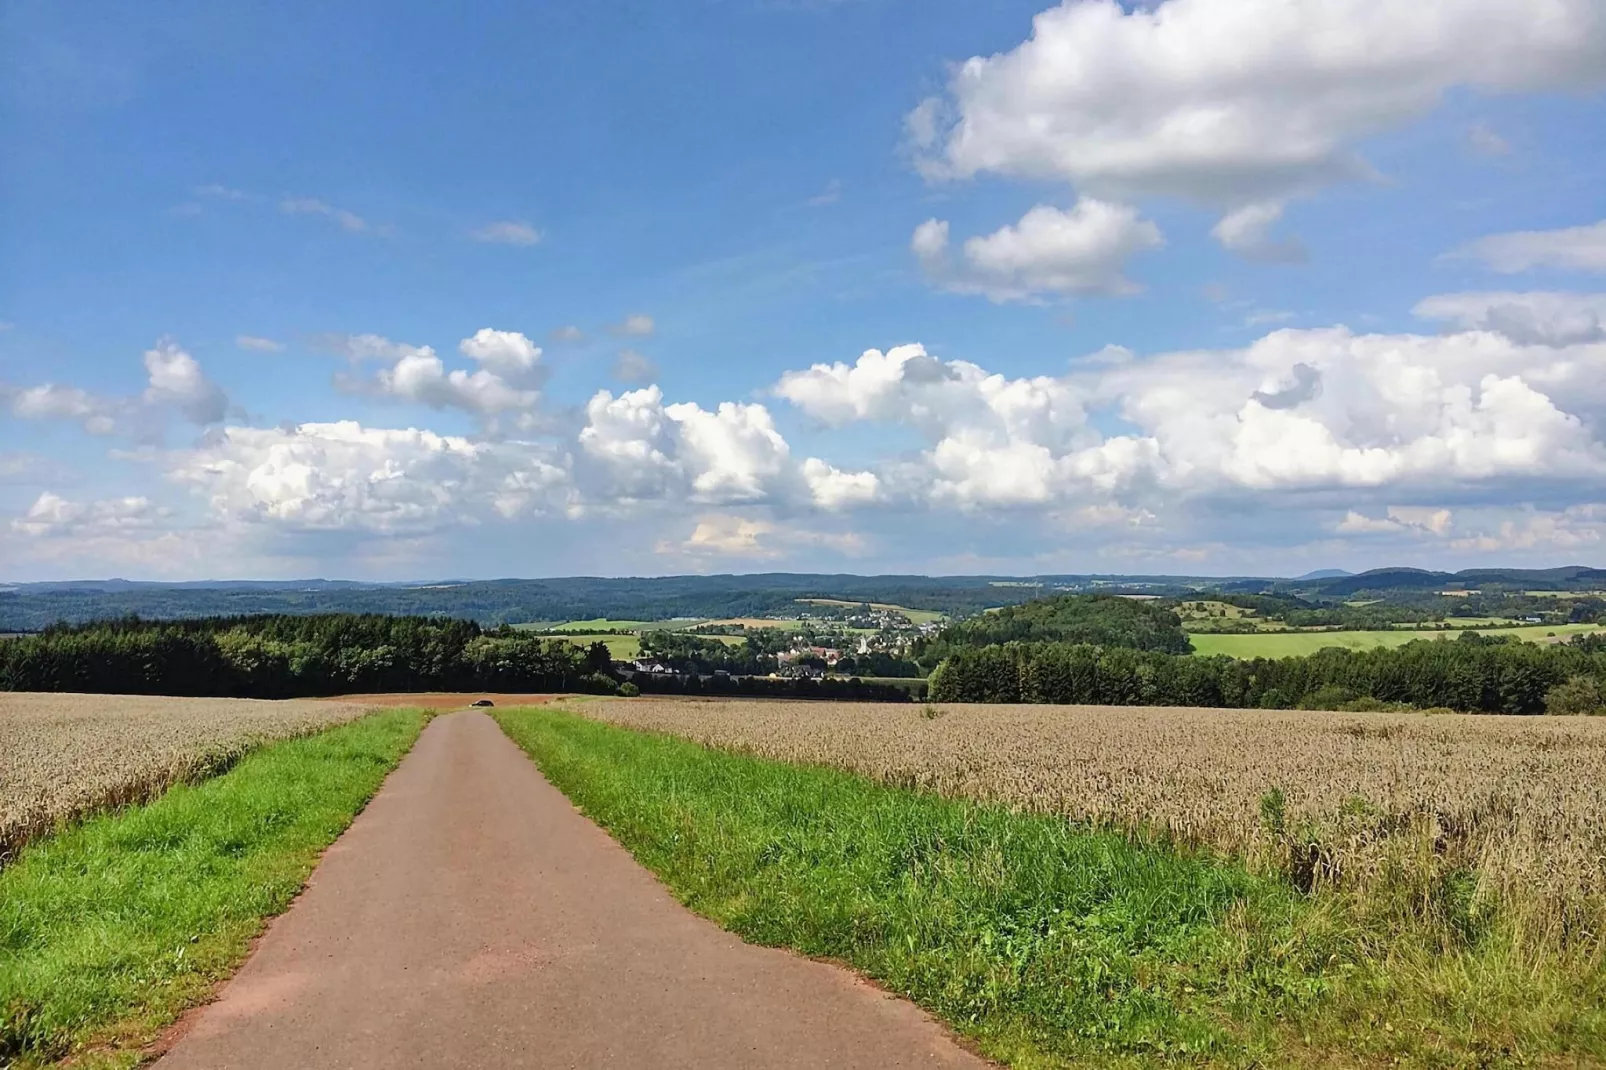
(1297, 412)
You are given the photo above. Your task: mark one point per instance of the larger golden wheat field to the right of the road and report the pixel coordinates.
(1366, 798)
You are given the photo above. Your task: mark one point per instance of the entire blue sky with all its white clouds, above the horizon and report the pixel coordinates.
(1205, 287)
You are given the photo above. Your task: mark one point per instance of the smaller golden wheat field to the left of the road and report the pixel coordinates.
(63, 756)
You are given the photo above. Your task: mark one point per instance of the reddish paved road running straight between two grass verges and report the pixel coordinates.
(471, 918)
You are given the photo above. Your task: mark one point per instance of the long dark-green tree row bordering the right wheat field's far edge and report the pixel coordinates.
(1474, 674)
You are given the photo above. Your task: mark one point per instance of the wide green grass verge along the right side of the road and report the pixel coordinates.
(1046, 942)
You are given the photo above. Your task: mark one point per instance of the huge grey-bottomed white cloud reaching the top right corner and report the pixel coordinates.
(1237, 104)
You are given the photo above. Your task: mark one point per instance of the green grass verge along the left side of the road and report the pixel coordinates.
(112, 928)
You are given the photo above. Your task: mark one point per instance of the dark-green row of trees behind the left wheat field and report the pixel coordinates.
(285, 656)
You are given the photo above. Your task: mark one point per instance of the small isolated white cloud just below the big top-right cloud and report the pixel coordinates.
(1050, 251)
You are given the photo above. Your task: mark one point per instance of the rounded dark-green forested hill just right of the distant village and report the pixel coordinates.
(1091, 619)
